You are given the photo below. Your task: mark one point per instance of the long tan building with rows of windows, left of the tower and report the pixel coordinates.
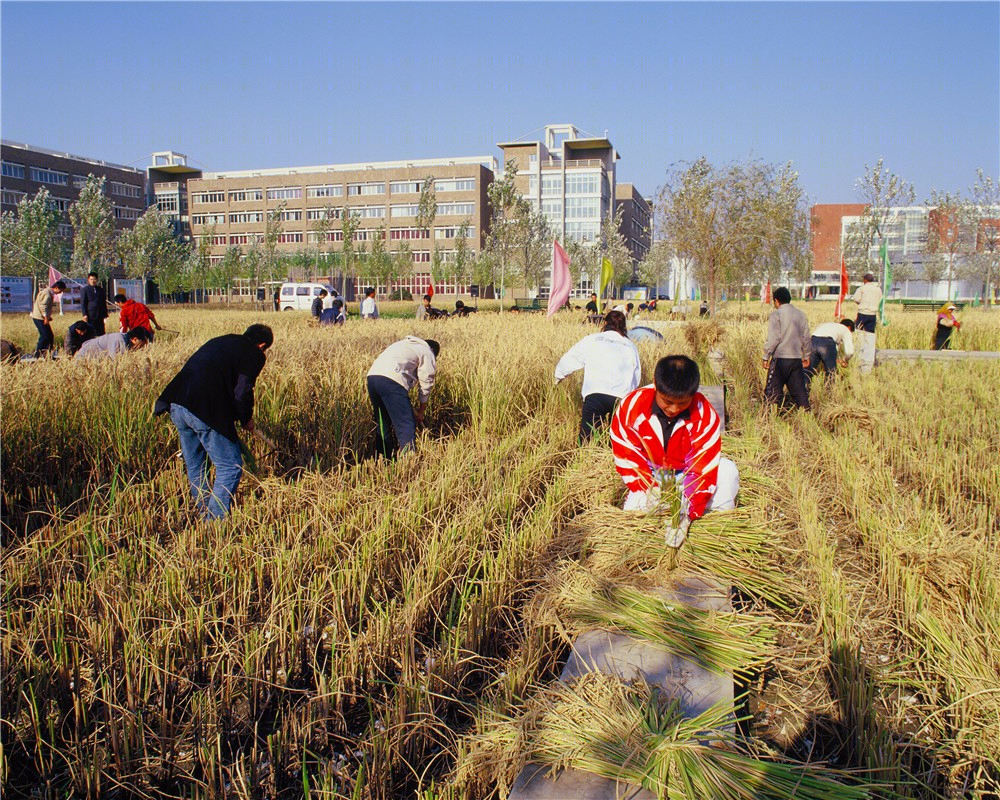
(232, 208)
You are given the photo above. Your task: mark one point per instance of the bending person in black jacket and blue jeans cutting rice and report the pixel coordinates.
(213, 390)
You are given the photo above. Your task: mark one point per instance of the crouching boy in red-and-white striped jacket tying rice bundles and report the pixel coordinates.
(669, 431)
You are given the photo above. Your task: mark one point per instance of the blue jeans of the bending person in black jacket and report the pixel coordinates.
(201, 444)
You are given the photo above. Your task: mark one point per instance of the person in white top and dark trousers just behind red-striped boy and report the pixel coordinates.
(611, 369)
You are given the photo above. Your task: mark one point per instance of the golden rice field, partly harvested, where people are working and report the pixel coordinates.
(363, 629)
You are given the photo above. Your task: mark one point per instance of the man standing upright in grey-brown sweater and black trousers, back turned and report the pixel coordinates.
(786, 353)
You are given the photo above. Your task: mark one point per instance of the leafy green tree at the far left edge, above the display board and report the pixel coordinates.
(31, 238)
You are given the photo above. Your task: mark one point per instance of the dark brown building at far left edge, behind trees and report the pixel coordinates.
(27, 169)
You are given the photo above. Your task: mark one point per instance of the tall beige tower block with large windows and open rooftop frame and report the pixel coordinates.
(571, 179)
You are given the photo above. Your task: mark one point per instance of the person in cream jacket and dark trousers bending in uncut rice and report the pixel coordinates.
(400, 367)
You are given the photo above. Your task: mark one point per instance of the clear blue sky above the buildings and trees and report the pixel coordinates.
(828, 86)
